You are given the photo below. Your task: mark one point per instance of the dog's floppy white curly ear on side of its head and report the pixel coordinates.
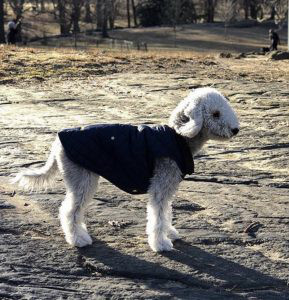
(187, 119)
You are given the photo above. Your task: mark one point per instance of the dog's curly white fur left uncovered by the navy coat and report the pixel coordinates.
(205, 114)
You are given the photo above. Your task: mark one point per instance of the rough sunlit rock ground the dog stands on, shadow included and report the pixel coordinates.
(239, 185)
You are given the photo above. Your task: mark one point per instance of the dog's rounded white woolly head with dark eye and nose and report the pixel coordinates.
(205, 110)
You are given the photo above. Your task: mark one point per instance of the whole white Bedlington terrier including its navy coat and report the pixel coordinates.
(203, 115)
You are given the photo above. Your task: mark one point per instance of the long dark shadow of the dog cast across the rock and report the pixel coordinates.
(187, 265)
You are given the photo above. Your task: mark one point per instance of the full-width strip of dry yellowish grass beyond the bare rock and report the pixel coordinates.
(20, 65)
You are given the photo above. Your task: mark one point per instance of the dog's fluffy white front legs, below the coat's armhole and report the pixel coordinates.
(159, 212)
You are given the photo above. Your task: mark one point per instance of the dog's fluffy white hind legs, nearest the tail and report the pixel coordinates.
(81, 185)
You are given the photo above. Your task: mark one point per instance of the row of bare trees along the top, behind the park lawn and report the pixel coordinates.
(74, 15)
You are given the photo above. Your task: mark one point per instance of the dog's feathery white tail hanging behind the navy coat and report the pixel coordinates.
(36, 179)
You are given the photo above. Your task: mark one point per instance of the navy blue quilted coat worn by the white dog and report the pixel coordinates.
(125, 155)
